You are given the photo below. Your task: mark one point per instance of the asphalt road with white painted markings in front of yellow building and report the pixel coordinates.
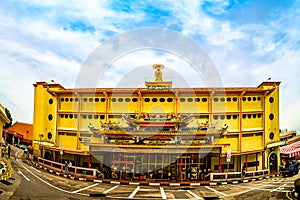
(31, 183)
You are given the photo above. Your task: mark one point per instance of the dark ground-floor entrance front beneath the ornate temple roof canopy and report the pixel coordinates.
(157, 167)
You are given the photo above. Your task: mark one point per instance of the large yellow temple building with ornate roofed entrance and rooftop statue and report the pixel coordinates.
(159, 131)
